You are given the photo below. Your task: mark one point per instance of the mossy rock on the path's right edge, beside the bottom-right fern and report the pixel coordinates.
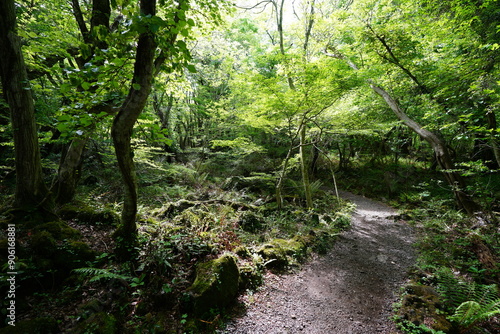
(421, 306)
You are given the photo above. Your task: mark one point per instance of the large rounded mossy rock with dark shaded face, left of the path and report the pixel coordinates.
(216, 284)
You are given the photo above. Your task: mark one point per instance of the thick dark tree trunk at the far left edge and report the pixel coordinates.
(31, 190)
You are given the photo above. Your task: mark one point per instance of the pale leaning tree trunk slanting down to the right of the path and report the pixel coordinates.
(443, 157)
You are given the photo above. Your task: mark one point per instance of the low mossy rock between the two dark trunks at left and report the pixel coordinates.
(86, 214)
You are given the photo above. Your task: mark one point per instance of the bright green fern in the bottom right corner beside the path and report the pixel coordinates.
(472, 303)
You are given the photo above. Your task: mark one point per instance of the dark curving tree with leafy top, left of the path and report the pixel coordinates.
(147, 65)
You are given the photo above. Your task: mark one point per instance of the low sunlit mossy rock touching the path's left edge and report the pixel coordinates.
(279, 252)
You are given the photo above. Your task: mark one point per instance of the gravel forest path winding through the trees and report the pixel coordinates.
(349, 290)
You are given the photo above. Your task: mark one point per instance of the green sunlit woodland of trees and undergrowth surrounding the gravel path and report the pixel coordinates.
(139, 138)
